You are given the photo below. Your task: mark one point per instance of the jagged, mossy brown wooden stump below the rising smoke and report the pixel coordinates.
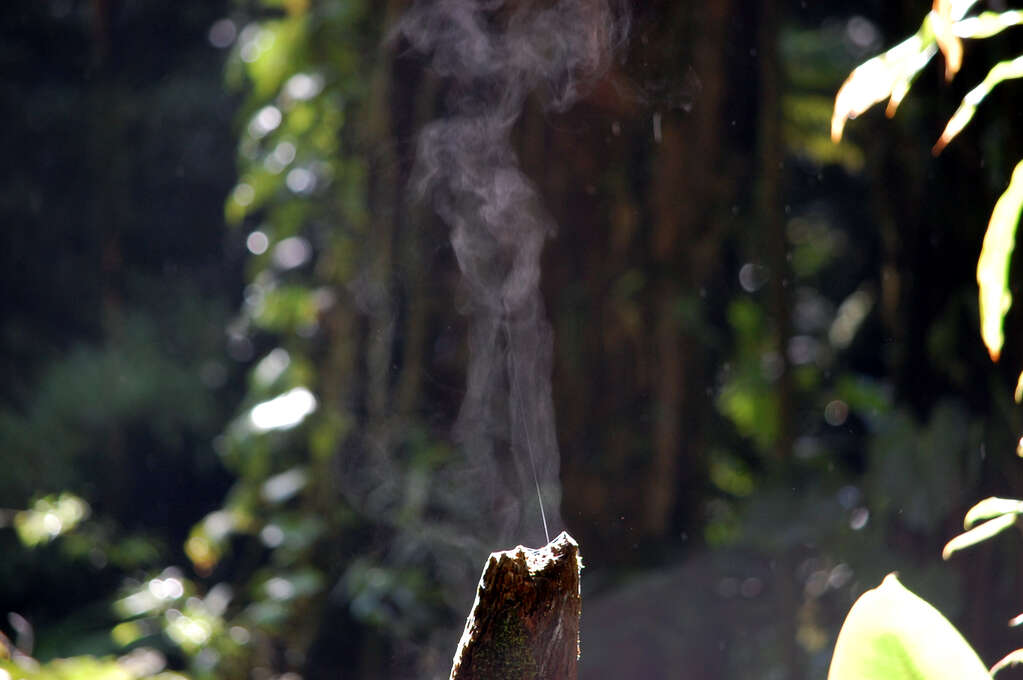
(525, 622)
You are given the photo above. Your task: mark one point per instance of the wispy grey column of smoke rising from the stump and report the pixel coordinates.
(496, 54)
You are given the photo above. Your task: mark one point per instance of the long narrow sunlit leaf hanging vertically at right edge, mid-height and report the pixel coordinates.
(993, 266)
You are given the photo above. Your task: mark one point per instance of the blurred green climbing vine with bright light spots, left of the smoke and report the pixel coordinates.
(298, 556)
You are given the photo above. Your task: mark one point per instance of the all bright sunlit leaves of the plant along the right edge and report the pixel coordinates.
(892, 633)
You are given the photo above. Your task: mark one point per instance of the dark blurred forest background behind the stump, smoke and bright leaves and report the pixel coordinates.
(769, 379)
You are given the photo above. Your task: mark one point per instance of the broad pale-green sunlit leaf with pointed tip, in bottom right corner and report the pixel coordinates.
(893, 634)
